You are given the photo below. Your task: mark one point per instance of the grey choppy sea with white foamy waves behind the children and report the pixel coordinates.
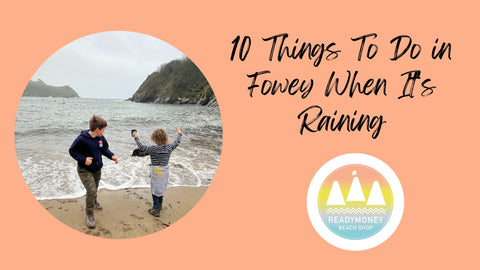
(46, 127)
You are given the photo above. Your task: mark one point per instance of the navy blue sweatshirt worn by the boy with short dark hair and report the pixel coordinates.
(86, 146)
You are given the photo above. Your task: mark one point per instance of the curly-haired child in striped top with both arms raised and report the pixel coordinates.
(159, 170)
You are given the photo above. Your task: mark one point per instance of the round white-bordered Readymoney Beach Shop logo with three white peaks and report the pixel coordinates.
(355, 201)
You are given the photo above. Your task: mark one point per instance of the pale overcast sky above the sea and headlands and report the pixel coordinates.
(106, 65)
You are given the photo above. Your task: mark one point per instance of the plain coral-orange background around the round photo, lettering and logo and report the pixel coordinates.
(254, 214)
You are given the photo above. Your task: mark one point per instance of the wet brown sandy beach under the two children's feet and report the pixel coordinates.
(124, 213)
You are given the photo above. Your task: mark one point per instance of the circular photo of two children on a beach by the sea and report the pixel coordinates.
(118, 135)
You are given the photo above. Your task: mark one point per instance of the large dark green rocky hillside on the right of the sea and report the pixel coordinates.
(177, 82)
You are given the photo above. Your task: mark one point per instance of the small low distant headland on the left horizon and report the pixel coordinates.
(39, 88)
